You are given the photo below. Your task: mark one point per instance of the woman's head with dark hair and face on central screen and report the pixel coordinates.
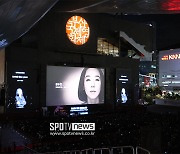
(91, 86)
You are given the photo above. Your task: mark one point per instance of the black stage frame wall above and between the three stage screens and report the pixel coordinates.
(40, 61)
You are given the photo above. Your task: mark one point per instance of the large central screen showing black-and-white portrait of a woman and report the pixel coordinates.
(74, 86)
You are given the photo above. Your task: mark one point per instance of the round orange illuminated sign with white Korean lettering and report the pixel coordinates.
(77, 30)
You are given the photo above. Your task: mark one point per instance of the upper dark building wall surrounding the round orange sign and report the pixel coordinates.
(53, 35)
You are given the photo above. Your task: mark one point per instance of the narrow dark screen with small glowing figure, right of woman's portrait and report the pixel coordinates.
(123, 86)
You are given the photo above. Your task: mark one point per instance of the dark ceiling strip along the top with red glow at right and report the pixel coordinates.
(121, 6)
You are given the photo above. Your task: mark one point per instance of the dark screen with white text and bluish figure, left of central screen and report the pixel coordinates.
(21, 89)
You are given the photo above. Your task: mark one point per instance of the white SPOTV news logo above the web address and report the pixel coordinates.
(72, 126)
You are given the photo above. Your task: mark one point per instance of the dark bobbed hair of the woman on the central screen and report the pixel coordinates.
(81, 90)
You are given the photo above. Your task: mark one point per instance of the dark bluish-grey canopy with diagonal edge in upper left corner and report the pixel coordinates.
(18, 16)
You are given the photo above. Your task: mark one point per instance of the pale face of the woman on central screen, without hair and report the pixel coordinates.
(92, 83)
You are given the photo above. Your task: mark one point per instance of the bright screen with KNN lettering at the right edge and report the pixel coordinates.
(169, 68)
